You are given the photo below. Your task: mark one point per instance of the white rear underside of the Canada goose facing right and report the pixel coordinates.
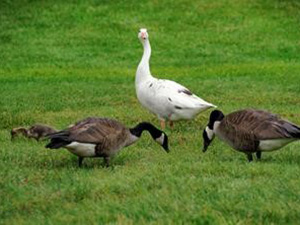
(82, 149)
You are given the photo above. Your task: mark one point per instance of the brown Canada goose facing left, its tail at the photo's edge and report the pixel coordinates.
(250, 131)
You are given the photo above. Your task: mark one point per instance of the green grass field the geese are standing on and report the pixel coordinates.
(61, 61)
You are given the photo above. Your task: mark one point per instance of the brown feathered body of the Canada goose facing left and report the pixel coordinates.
(244, 129)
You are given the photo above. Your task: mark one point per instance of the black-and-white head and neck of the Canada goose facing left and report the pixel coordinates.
(208, 135)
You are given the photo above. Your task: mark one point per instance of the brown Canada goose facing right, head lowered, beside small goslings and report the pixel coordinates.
(102, 137)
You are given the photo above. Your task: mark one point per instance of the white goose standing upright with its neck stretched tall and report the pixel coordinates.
(167, 99)
